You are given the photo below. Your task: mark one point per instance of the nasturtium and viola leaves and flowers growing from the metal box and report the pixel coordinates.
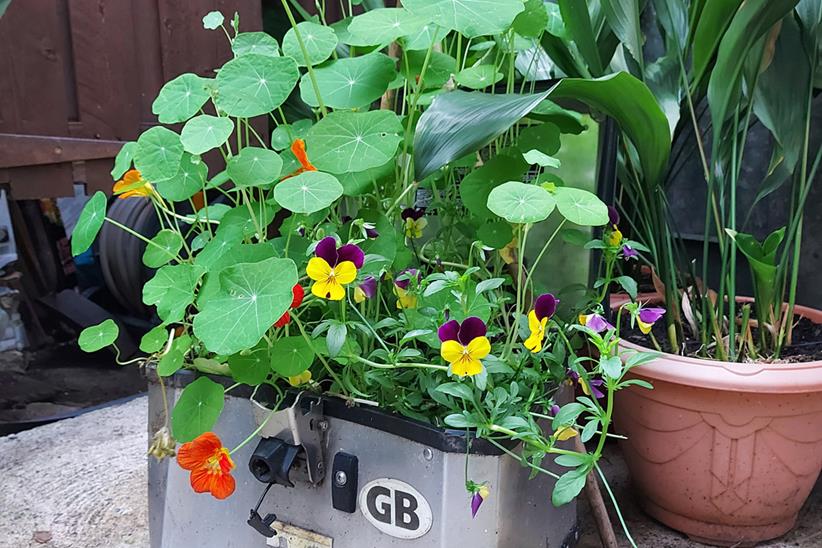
(309, 258)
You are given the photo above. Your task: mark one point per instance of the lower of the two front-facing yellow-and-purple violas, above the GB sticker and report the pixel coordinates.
(464, 345)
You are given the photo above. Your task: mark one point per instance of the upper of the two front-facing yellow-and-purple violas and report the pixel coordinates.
(332, 268)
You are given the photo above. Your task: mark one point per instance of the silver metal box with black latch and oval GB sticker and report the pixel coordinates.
(361, 478)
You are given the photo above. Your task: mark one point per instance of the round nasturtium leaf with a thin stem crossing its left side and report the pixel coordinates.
(354, 82)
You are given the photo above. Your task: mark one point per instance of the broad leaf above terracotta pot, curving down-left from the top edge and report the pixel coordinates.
(753, 20)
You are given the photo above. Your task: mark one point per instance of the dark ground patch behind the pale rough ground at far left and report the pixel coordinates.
(37, 387)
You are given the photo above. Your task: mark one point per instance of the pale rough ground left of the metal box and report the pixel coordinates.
(77, 483)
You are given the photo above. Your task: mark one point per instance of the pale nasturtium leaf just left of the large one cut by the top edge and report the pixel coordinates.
(383, 25)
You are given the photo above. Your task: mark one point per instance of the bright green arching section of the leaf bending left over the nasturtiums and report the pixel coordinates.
(634, 107)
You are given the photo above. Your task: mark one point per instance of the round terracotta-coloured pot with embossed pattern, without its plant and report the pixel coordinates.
(724, 452)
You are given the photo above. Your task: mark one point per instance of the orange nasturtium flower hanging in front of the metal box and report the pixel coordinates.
(210, 465)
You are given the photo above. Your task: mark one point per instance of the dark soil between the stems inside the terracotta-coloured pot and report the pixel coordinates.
(806, 344)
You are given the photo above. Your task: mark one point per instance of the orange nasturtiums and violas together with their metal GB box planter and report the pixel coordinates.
(310, 306)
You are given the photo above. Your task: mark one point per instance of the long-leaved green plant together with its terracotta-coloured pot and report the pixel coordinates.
(724, 448)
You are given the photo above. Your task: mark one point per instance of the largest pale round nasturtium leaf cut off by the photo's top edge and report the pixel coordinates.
(471, 18)
